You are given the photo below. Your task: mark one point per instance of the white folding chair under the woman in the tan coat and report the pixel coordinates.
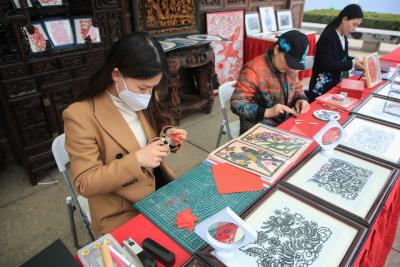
(80, 204)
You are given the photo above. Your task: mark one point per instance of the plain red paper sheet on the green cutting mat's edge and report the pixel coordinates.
(230, 179)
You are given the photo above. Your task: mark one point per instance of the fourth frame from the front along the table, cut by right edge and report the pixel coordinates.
(380, 108)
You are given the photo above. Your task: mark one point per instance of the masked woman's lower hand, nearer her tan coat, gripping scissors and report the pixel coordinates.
(152, 154)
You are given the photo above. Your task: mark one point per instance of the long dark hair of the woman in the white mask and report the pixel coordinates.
(136, 56)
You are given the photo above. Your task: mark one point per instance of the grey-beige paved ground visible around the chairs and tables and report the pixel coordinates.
(33, 217)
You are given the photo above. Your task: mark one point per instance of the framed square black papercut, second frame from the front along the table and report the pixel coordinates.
(344, 181)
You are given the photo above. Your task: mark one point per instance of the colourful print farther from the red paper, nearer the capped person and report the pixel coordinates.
(282, 143)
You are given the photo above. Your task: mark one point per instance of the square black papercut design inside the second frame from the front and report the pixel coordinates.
(341, 178)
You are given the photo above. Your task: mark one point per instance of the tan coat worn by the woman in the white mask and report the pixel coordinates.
(104, 167)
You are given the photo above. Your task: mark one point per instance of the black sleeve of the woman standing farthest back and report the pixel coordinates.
(326, 61)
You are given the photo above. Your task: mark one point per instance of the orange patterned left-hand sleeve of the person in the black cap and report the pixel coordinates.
(243, 101)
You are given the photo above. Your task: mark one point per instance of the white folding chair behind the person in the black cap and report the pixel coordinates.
(225, 92)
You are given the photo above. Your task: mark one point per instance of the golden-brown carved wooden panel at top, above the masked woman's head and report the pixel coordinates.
(159, 17)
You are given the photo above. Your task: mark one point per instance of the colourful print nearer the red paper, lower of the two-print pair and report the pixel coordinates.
(251, 158)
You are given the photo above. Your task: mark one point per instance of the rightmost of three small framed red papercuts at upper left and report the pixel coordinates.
(83, 28)
